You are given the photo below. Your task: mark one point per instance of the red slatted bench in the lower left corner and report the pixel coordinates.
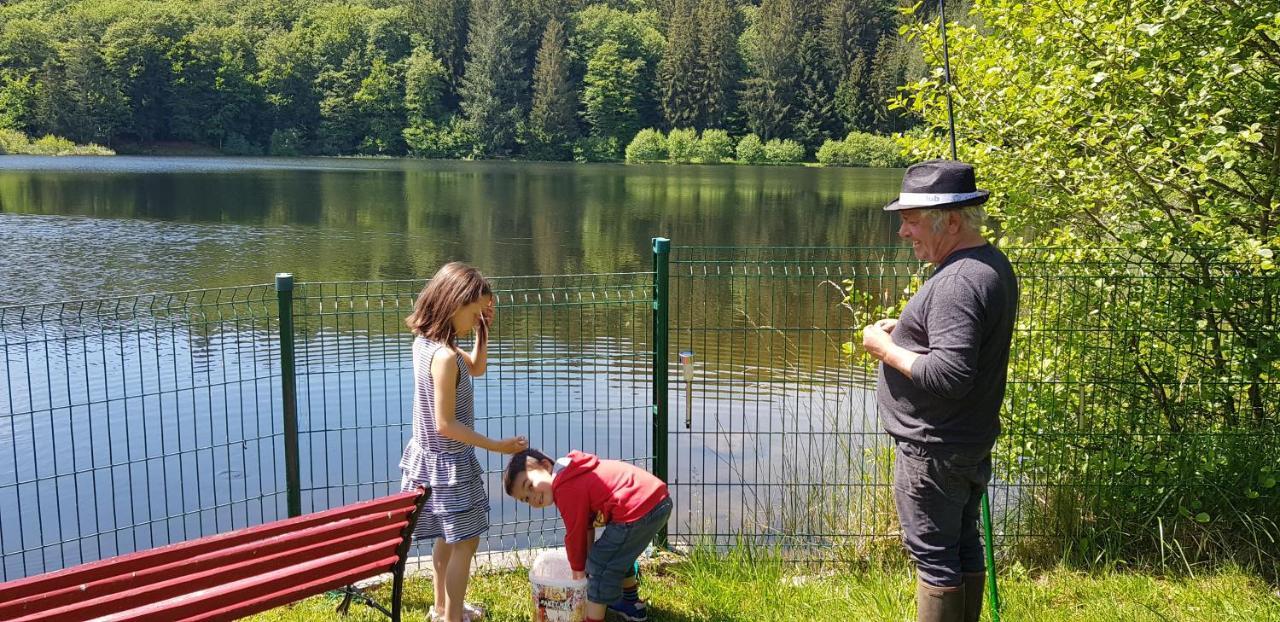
(234, 575)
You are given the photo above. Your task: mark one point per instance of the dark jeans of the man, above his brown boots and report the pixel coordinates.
(939, 490)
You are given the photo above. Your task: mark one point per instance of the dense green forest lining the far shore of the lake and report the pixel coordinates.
(451, 79)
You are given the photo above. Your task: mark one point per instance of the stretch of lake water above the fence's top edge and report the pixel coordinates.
(79, 228)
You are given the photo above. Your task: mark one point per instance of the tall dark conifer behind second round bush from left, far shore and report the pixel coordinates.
(680, 70)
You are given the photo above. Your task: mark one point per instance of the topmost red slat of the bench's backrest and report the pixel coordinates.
(396, 505)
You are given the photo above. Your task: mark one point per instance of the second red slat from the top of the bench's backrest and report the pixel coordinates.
(130, 591)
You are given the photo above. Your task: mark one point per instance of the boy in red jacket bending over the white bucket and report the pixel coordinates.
(629, 502)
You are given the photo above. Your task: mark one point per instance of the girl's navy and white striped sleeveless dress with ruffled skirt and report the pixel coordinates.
(459, 507)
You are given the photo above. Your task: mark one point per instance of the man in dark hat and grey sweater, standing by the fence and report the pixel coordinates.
(944, 364)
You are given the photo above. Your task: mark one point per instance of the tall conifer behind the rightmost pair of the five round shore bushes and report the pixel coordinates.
(769, 94)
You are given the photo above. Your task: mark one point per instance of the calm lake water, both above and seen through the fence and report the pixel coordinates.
(167, 428)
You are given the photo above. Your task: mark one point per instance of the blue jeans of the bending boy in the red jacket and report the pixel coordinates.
(614, 556)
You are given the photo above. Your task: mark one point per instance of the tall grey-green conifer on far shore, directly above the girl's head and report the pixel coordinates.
(493, 83)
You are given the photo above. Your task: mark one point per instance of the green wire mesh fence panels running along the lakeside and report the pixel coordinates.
(1142, 394)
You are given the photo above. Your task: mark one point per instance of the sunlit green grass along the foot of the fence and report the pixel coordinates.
(705, 587)
